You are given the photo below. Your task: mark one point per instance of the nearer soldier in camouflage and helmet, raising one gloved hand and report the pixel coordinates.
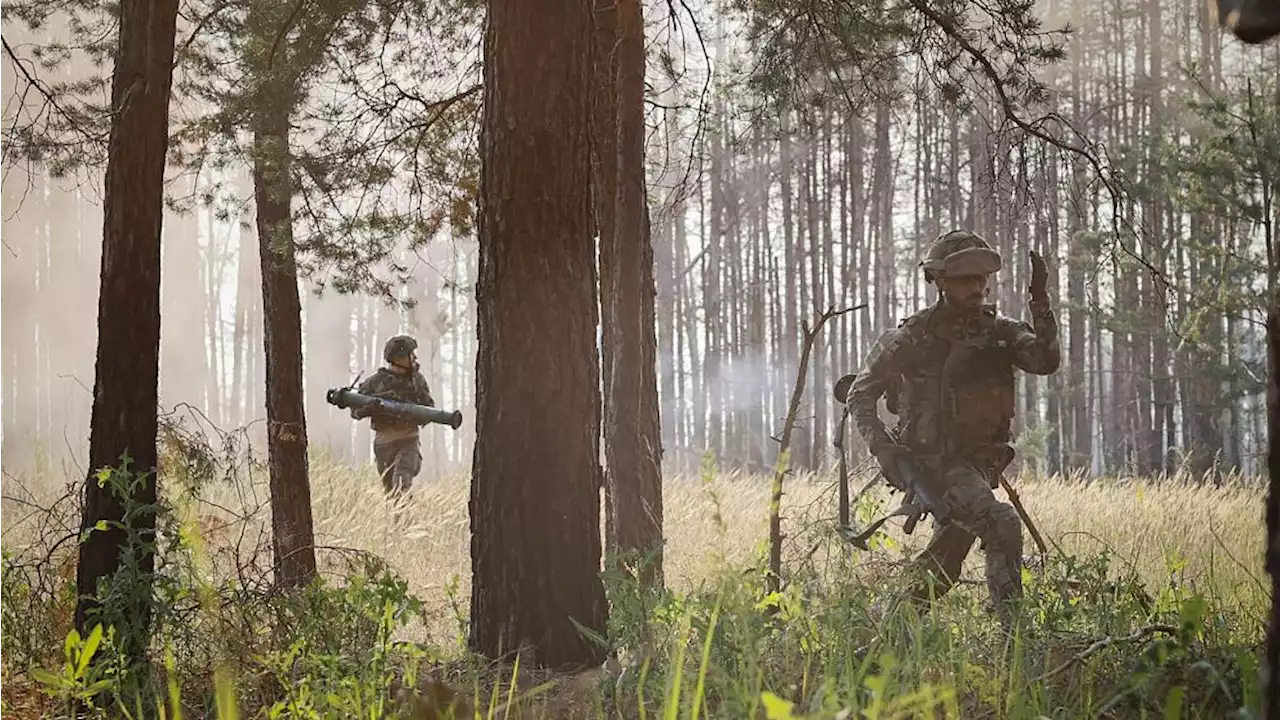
(948, 373)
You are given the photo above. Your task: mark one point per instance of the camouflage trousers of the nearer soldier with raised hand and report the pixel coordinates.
(975, 513)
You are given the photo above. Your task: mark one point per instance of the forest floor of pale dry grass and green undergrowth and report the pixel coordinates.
(1153, 601)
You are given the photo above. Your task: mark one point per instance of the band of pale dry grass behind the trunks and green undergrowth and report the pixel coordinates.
(1197, 531)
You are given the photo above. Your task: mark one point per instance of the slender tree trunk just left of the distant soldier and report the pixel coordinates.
(292, 532)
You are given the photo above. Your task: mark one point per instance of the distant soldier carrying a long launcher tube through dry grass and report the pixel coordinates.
(396, 443)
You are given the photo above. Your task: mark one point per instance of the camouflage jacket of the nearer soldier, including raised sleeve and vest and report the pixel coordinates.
(950, 380)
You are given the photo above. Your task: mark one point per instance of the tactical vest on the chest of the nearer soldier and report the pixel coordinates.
(970, 413)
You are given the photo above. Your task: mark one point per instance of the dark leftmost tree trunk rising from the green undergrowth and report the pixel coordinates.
(129, 318)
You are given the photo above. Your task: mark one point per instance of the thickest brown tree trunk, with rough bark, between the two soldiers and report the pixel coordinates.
(536, 530)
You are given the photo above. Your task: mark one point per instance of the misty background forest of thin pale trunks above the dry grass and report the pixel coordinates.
(1148, 183)
